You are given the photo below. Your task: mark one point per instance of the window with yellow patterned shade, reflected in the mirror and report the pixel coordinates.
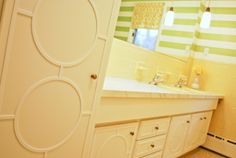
(145, 23)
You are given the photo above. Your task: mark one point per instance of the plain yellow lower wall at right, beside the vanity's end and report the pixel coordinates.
(221, 77)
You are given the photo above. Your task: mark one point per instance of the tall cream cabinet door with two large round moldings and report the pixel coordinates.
(47, 91)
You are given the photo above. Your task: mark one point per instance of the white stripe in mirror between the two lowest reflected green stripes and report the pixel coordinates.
(176, 39)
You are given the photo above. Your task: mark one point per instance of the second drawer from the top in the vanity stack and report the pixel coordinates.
(150, 145)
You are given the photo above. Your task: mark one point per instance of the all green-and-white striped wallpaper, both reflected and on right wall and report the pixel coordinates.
(219, 39)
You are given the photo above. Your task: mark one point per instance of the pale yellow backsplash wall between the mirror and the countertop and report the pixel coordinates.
(125, 57)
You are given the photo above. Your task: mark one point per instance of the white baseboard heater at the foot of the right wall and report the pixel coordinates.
(221, 145)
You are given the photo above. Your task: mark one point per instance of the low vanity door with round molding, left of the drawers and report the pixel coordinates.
(114, 141)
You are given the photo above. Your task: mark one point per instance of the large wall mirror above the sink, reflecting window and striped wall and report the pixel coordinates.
(175, 40)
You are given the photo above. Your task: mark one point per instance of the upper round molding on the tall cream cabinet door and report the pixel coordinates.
(57, 54)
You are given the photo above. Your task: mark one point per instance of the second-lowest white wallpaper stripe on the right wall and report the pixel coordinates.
(218, 44)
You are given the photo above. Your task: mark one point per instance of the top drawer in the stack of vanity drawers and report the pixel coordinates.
(151, 128)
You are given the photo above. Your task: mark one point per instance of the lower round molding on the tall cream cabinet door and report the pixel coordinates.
(67, 131)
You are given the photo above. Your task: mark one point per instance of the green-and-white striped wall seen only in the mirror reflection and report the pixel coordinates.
(172, 40)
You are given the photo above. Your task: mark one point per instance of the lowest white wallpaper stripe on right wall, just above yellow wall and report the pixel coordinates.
(215, 58)
